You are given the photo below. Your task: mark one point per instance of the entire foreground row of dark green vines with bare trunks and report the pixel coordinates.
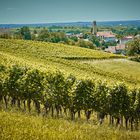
(66, 95)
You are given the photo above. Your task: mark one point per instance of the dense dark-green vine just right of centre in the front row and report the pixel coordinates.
(83, 97)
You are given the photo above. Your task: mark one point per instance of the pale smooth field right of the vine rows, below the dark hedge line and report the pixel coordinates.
(122, 67)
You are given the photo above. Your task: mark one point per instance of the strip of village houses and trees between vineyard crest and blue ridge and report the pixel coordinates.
(93, 37)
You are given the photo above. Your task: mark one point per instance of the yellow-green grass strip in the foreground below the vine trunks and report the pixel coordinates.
(18, 126)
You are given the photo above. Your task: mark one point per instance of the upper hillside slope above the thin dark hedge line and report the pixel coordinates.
(45, 50)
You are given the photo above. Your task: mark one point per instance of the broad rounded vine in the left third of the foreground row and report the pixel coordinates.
(32, 88)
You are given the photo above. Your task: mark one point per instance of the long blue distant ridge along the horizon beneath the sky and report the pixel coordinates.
(135, 23)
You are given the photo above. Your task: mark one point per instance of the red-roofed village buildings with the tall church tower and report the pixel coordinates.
(107, 37)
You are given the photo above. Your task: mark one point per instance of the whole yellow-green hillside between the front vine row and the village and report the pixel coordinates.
(83, 63)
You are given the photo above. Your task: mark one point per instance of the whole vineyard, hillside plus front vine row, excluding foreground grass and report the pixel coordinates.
(59, 81)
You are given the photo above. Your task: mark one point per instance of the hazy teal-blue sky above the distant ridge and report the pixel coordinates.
(51, 11)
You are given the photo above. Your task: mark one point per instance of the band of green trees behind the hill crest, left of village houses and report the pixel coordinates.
(51, 36)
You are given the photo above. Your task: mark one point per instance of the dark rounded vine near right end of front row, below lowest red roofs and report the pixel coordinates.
(119, 102)
